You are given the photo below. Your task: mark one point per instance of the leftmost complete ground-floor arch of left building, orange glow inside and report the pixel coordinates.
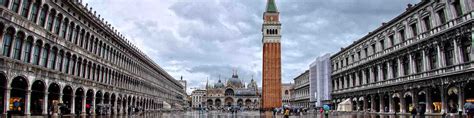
(17, 95)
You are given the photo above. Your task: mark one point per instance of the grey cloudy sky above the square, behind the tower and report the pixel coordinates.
(200, 39)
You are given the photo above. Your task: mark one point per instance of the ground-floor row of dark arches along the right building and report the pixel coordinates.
(433, 99)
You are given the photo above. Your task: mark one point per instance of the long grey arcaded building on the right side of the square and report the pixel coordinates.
(423, 57)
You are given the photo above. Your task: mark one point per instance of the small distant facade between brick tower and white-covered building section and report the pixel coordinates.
(301, 91)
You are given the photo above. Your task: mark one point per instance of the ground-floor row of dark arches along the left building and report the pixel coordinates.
(19, 97)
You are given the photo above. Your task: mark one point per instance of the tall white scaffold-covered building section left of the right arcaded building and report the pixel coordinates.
(320, 81)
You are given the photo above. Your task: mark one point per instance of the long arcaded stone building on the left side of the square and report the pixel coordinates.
(61, 52)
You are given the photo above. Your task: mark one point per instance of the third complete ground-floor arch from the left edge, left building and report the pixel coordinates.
(53, 96)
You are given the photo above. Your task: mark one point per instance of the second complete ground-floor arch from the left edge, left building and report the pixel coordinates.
(37, 97)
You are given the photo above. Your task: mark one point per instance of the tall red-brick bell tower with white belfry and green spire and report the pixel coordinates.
(271, 28)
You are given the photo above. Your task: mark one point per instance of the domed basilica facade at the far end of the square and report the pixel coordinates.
(231, 93)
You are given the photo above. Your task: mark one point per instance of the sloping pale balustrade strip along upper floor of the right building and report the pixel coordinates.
(411, 41)
